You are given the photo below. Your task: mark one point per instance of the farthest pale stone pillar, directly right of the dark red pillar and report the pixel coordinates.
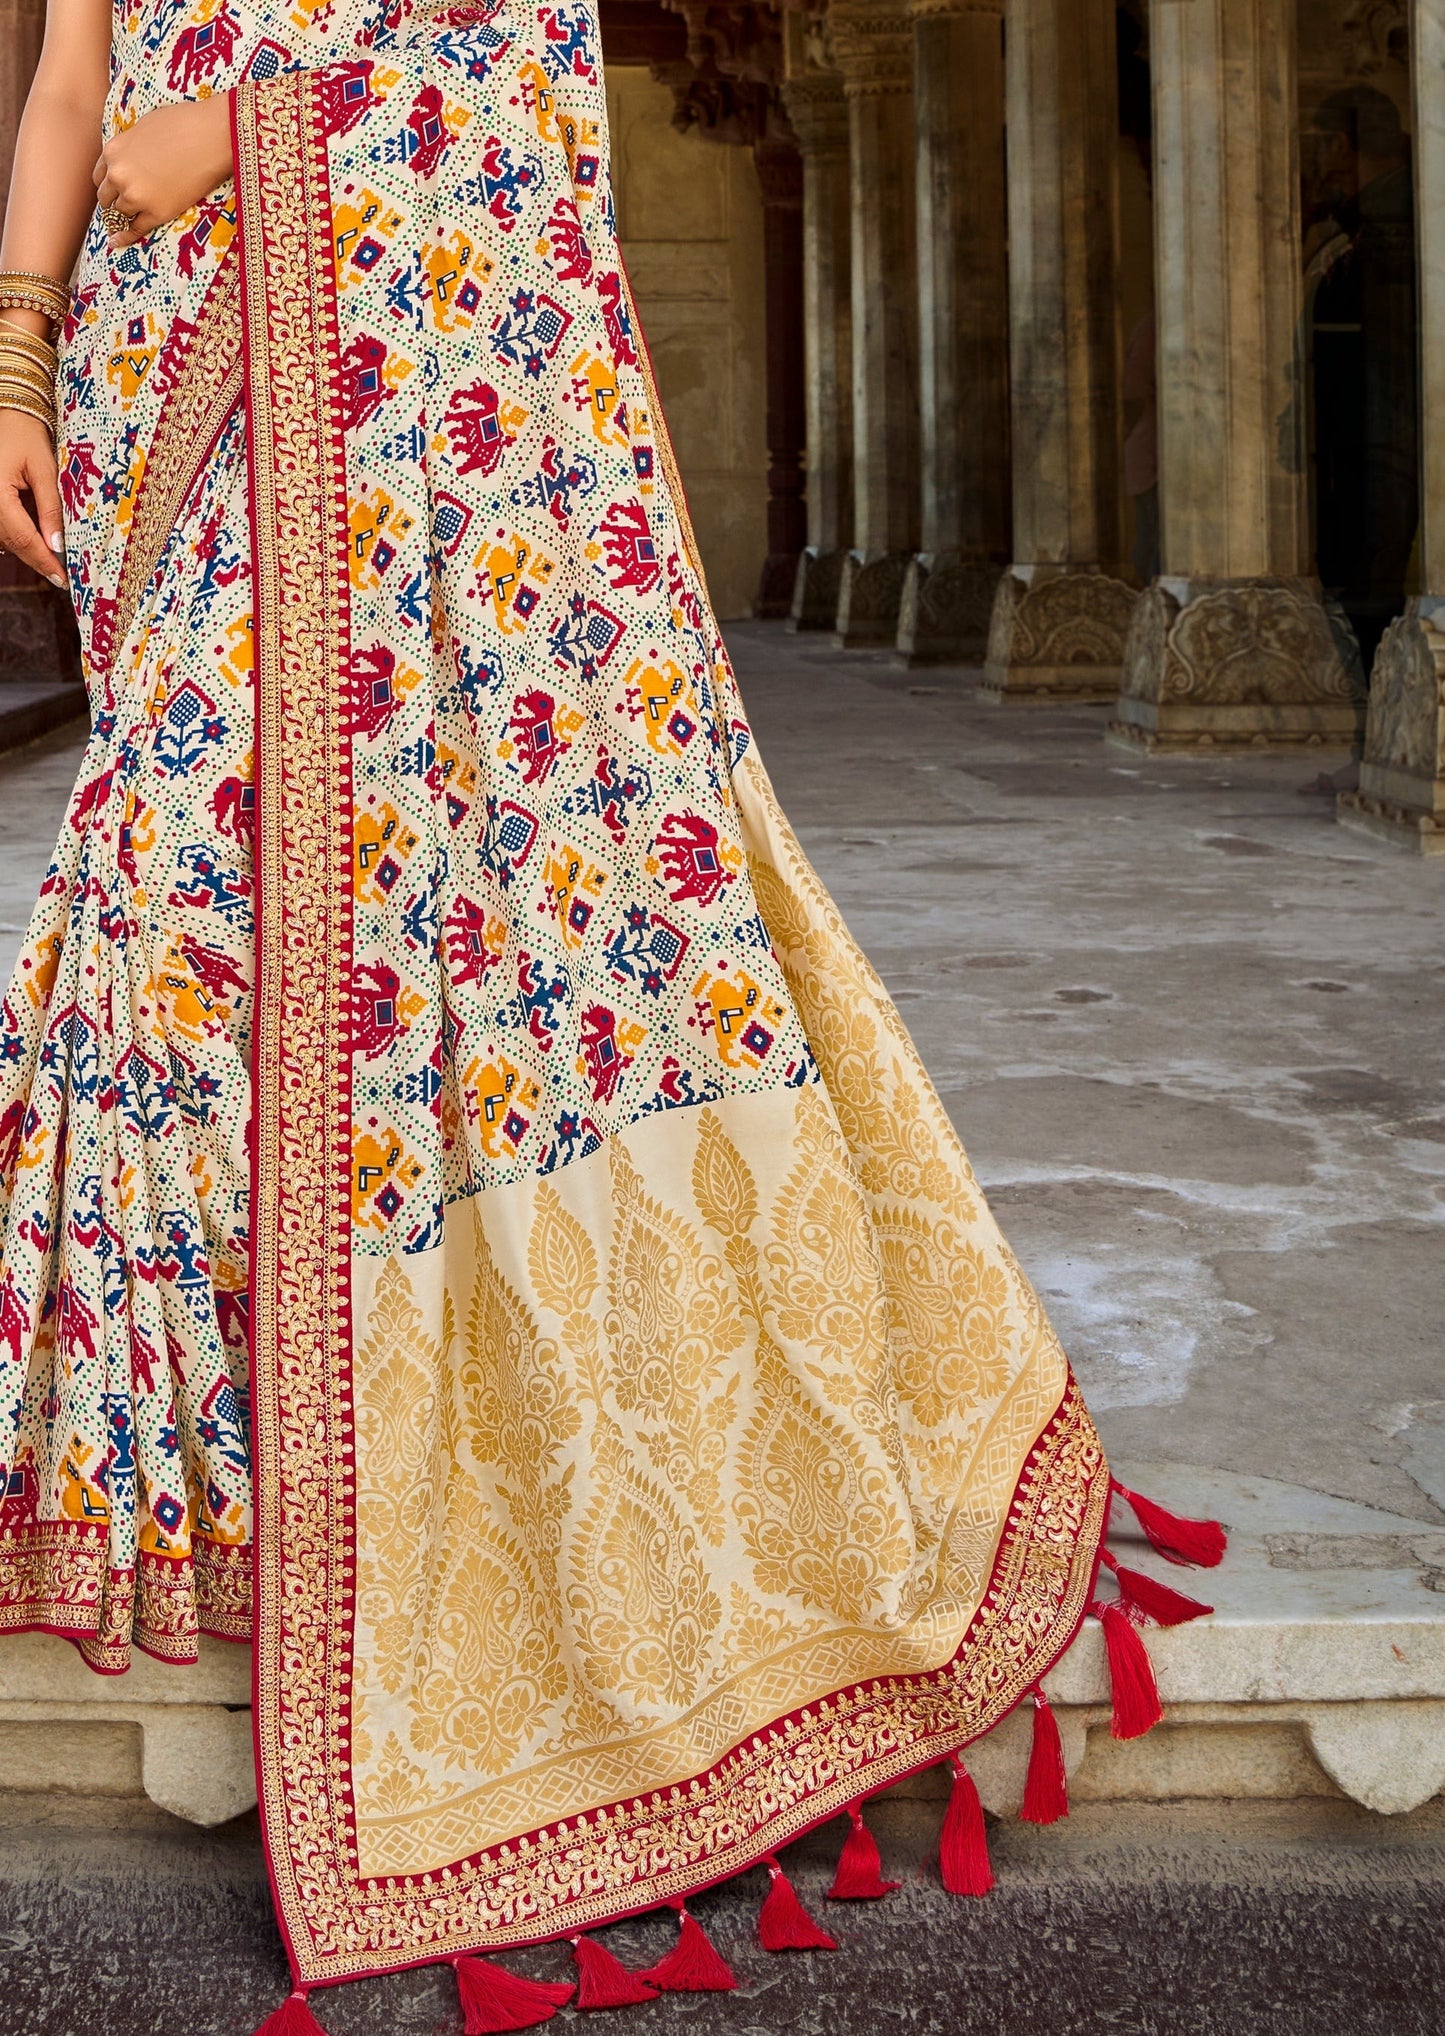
(819, 119)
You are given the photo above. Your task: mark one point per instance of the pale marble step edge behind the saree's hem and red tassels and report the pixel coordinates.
(1322, 1675)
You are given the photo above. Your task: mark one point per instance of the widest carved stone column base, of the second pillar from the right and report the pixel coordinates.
(1234, 665)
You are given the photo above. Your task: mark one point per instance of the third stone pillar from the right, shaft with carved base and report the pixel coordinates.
(1063, 610)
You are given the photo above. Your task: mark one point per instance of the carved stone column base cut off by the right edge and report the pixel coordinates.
(1401, 793)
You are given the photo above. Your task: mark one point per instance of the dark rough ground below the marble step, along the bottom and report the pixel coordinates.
(1173, 1923)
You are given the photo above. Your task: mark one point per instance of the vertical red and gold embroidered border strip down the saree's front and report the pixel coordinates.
(300, 1265)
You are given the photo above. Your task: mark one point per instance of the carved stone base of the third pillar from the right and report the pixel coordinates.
(1057, 634)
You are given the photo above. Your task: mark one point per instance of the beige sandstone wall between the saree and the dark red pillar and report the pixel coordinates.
(691, 221)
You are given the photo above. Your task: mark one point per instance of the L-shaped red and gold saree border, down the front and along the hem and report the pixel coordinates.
(781, 1780)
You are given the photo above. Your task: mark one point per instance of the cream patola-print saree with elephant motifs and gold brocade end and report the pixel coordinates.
(475, 1223)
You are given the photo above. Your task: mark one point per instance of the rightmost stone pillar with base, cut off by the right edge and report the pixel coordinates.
(1403, 771)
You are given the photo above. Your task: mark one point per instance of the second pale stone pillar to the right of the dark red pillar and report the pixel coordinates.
(874, 48)
